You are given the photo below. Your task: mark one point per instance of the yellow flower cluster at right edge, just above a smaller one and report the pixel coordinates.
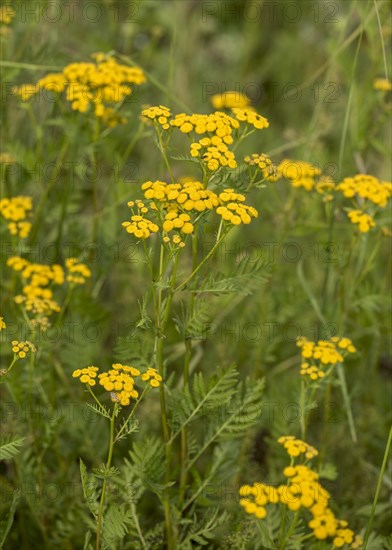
(366, 187)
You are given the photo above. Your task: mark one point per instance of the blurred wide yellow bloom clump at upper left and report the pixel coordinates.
(98, 87)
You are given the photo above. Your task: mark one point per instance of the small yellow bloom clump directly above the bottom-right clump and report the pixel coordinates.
(318, 357)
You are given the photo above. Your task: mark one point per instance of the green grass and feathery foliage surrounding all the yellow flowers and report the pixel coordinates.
(267, 283)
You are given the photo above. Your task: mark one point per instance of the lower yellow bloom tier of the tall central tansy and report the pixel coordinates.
(178, 206)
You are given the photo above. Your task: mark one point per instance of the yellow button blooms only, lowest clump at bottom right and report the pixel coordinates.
(301, 492)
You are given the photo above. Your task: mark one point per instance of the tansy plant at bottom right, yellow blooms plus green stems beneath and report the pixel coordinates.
(300, 500)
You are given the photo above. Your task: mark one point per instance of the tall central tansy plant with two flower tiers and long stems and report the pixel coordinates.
(169, 217)
